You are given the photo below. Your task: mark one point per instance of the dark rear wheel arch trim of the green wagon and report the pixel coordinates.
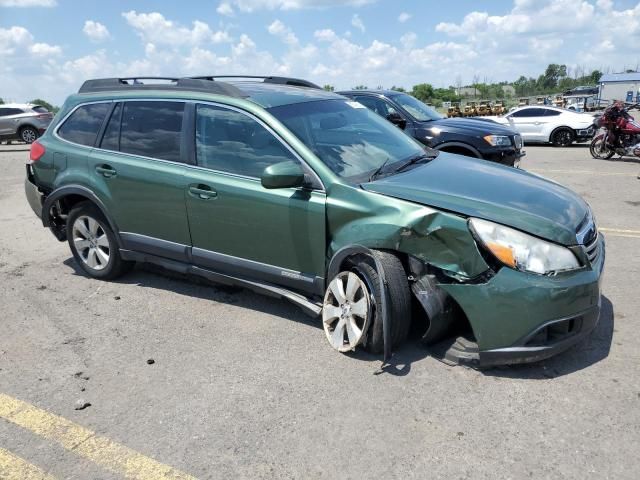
(64, 199)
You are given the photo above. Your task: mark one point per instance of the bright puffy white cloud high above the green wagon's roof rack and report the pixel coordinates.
(155, 28)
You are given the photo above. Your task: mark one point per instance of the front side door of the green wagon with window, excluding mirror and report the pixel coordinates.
(239, 227)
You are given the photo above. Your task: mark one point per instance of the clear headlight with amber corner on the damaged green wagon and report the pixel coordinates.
(520, 251)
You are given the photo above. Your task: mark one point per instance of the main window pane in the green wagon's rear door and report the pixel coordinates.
(152, 129)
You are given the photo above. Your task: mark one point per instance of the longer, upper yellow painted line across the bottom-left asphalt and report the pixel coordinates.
(86, 443)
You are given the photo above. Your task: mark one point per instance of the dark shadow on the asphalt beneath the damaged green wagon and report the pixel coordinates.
(588, 352)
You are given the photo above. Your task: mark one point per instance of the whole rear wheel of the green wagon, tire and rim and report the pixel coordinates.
(93, 243)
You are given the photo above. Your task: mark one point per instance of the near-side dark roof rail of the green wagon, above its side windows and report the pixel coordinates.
(171, 83)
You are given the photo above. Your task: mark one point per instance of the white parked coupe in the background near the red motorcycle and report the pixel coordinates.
(546, 124)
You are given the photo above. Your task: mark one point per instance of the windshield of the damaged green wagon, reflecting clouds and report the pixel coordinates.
(350, 139)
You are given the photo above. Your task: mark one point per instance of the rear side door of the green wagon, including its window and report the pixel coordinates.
(138, 172)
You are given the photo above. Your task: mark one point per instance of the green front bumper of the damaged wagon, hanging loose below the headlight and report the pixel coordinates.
(519, 318)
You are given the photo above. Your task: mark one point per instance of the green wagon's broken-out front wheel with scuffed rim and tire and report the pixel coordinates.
(352, 313)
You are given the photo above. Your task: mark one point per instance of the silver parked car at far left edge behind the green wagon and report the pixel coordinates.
(24, 122)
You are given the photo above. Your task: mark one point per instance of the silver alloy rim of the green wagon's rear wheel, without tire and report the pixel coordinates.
(91, 242)
